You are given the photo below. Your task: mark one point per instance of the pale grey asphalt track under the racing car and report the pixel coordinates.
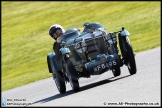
(141, 89)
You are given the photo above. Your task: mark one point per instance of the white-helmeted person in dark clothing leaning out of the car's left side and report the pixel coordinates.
(56, 32)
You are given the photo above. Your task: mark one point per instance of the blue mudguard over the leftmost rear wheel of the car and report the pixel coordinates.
(52, 56)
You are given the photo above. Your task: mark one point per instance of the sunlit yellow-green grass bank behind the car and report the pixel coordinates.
(25, 25)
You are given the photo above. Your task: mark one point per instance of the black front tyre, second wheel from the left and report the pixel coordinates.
(72, 75)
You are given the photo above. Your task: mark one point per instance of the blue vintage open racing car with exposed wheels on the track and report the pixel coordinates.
(90, 52)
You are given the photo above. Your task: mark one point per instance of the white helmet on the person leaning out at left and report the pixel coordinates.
(56, 31)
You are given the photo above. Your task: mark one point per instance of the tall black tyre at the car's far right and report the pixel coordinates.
(128, 55)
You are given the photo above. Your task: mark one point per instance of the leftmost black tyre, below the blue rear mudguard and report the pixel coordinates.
(58, 78)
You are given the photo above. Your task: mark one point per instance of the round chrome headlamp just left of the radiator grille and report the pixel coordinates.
(81, 47)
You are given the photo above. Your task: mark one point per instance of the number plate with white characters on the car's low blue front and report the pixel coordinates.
(105, 65)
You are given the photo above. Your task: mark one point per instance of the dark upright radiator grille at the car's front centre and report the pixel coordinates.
(96, 46)
